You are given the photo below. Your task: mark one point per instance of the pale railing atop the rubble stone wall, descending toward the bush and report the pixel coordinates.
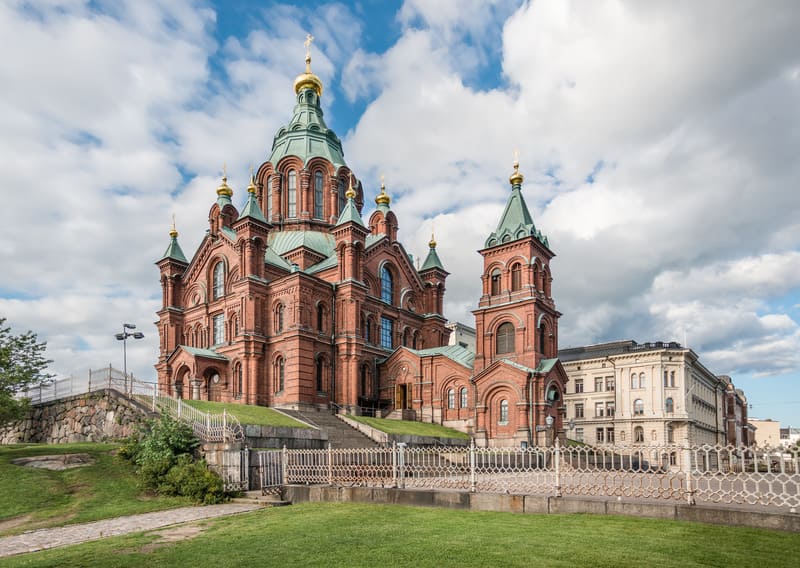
(209, 427)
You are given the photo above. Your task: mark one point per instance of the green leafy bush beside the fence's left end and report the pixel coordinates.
(162, 451)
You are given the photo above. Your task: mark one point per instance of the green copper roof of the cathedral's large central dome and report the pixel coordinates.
(307, 136)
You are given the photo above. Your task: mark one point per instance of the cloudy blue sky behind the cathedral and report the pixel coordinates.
(659, 141)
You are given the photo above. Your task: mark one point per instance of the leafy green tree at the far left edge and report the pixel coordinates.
(22, 364)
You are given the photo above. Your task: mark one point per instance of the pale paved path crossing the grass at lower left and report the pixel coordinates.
(73, 534)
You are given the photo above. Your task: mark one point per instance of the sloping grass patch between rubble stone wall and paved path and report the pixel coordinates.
(34, 498)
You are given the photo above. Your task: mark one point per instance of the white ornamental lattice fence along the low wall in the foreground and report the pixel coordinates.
(697, 474)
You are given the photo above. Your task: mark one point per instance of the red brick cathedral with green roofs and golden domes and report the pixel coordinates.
(294, 301)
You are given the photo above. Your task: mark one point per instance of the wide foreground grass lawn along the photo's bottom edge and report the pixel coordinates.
(349, 534)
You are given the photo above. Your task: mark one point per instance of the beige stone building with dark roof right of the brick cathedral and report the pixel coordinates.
(651, 394)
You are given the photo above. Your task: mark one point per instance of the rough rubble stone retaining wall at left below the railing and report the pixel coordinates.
(95, 417)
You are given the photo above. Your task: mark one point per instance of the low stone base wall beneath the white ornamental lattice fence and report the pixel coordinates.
(543, 505)
